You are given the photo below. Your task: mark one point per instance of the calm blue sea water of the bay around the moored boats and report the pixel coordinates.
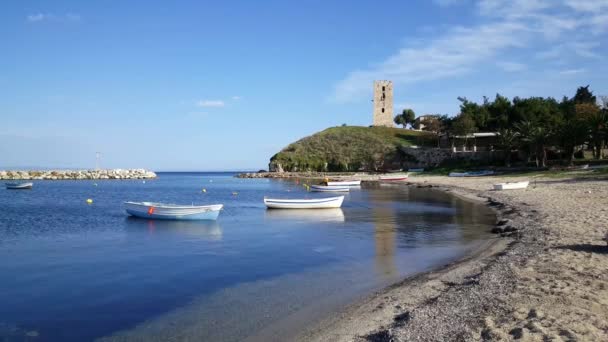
(70, 271)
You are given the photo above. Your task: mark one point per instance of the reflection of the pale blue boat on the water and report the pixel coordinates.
(204, 230)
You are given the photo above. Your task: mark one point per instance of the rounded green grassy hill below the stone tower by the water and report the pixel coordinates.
(350, 148)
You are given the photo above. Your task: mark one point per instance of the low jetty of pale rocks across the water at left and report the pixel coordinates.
(78, 174)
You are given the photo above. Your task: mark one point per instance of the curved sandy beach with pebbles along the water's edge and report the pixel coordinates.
(546, 281)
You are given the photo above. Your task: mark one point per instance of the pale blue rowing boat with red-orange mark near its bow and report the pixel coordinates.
(161, 211)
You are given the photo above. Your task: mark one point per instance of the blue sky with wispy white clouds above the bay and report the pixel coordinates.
(196, 85)
